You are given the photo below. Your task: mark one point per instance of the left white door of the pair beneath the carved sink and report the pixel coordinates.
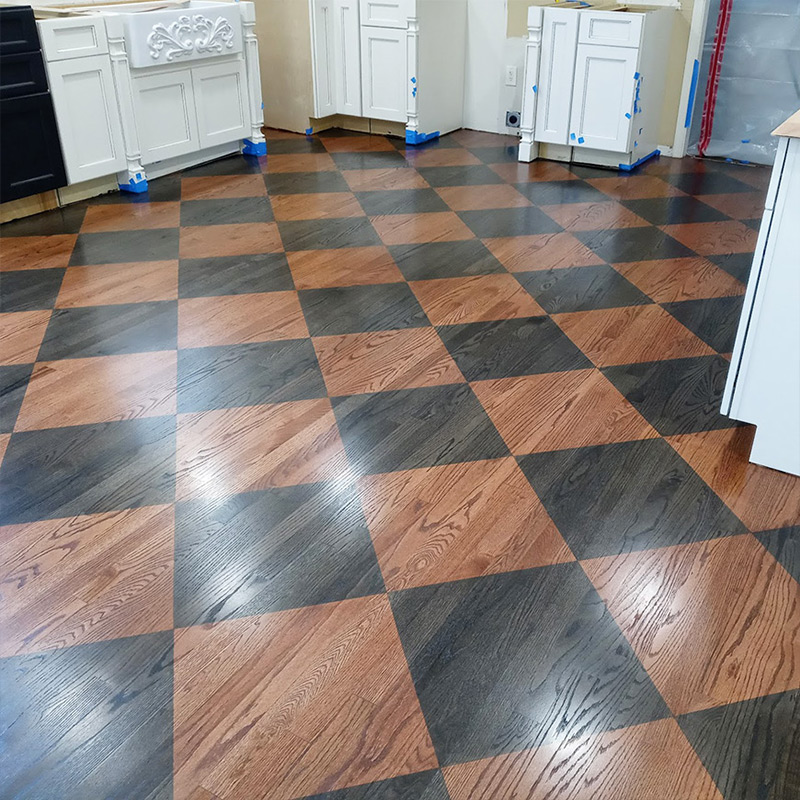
(166, 119)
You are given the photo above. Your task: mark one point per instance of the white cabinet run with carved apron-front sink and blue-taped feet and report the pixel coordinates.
(163, 87)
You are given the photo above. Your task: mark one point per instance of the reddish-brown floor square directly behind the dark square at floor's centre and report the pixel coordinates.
(384, 360)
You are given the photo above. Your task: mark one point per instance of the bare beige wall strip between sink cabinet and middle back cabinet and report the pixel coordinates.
(284, 45)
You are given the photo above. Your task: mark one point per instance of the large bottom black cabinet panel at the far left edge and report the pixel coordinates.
(30, 150)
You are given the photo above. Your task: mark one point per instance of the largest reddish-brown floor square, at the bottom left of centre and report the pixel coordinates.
(285, 688)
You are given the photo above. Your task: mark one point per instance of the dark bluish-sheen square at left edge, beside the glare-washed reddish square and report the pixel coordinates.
(87, 469)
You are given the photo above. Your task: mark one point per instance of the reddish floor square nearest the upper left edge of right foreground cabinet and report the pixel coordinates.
(674, 279)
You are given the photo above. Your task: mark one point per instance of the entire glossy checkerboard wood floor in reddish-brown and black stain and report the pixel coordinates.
(366, 472)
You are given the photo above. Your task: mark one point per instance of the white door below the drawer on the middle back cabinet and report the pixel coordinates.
(383, 71)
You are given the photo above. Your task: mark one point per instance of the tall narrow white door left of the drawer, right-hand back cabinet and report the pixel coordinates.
(557, 69)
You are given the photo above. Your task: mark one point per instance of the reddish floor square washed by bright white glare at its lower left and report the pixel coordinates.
(241, 449)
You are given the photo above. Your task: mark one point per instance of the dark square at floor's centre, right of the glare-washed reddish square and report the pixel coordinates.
(412, 428)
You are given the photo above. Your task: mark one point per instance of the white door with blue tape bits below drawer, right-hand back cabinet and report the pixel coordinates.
(604, 90)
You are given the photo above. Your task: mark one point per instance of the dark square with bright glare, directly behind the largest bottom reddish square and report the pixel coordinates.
(271, 550)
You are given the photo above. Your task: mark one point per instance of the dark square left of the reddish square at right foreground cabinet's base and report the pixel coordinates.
(616, 498)
